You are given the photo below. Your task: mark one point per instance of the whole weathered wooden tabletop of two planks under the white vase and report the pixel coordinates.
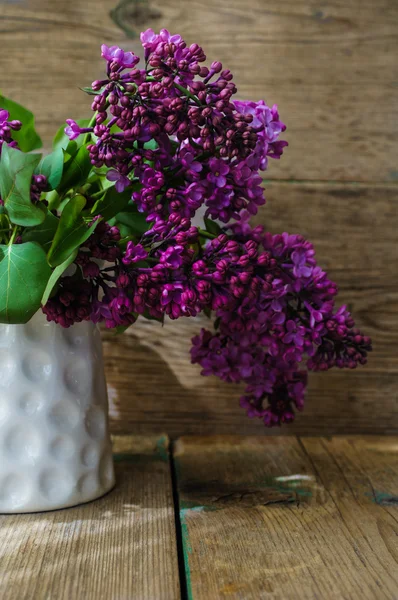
(210, 518)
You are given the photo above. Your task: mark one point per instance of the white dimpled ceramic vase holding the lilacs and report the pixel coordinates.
(55, 448)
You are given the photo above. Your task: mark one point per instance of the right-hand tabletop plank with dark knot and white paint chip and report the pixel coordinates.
(288, 518)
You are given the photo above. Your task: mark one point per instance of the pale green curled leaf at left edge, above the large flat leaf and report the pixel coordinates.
(16, 170)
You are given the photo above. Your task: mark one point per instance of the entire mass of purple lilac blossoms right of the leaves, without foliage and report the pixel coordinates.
(173, 134)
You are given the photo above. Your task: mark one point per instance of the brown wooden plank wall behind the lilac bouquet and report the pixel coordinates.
(332, 68)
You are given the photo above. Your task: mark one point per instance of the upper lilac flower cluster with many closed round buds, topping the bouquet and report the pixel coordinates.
(205, 148)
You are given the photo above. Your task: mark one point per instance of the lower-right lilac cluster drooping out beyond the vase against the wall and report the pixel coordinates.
(279, 316)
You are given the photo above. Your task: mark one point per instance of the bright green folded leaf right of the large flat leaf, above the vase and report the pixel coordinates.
(72, 232)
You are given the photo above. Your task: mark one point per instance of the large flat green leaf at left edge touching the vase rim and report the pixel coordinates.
(24, 273)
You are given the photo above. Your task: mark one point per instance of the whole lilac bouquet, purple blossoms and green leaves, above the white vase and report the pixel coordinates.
(115, 201)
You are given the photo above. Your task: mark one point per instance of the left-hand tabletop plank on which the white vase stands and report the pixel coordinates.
(121, 546)
